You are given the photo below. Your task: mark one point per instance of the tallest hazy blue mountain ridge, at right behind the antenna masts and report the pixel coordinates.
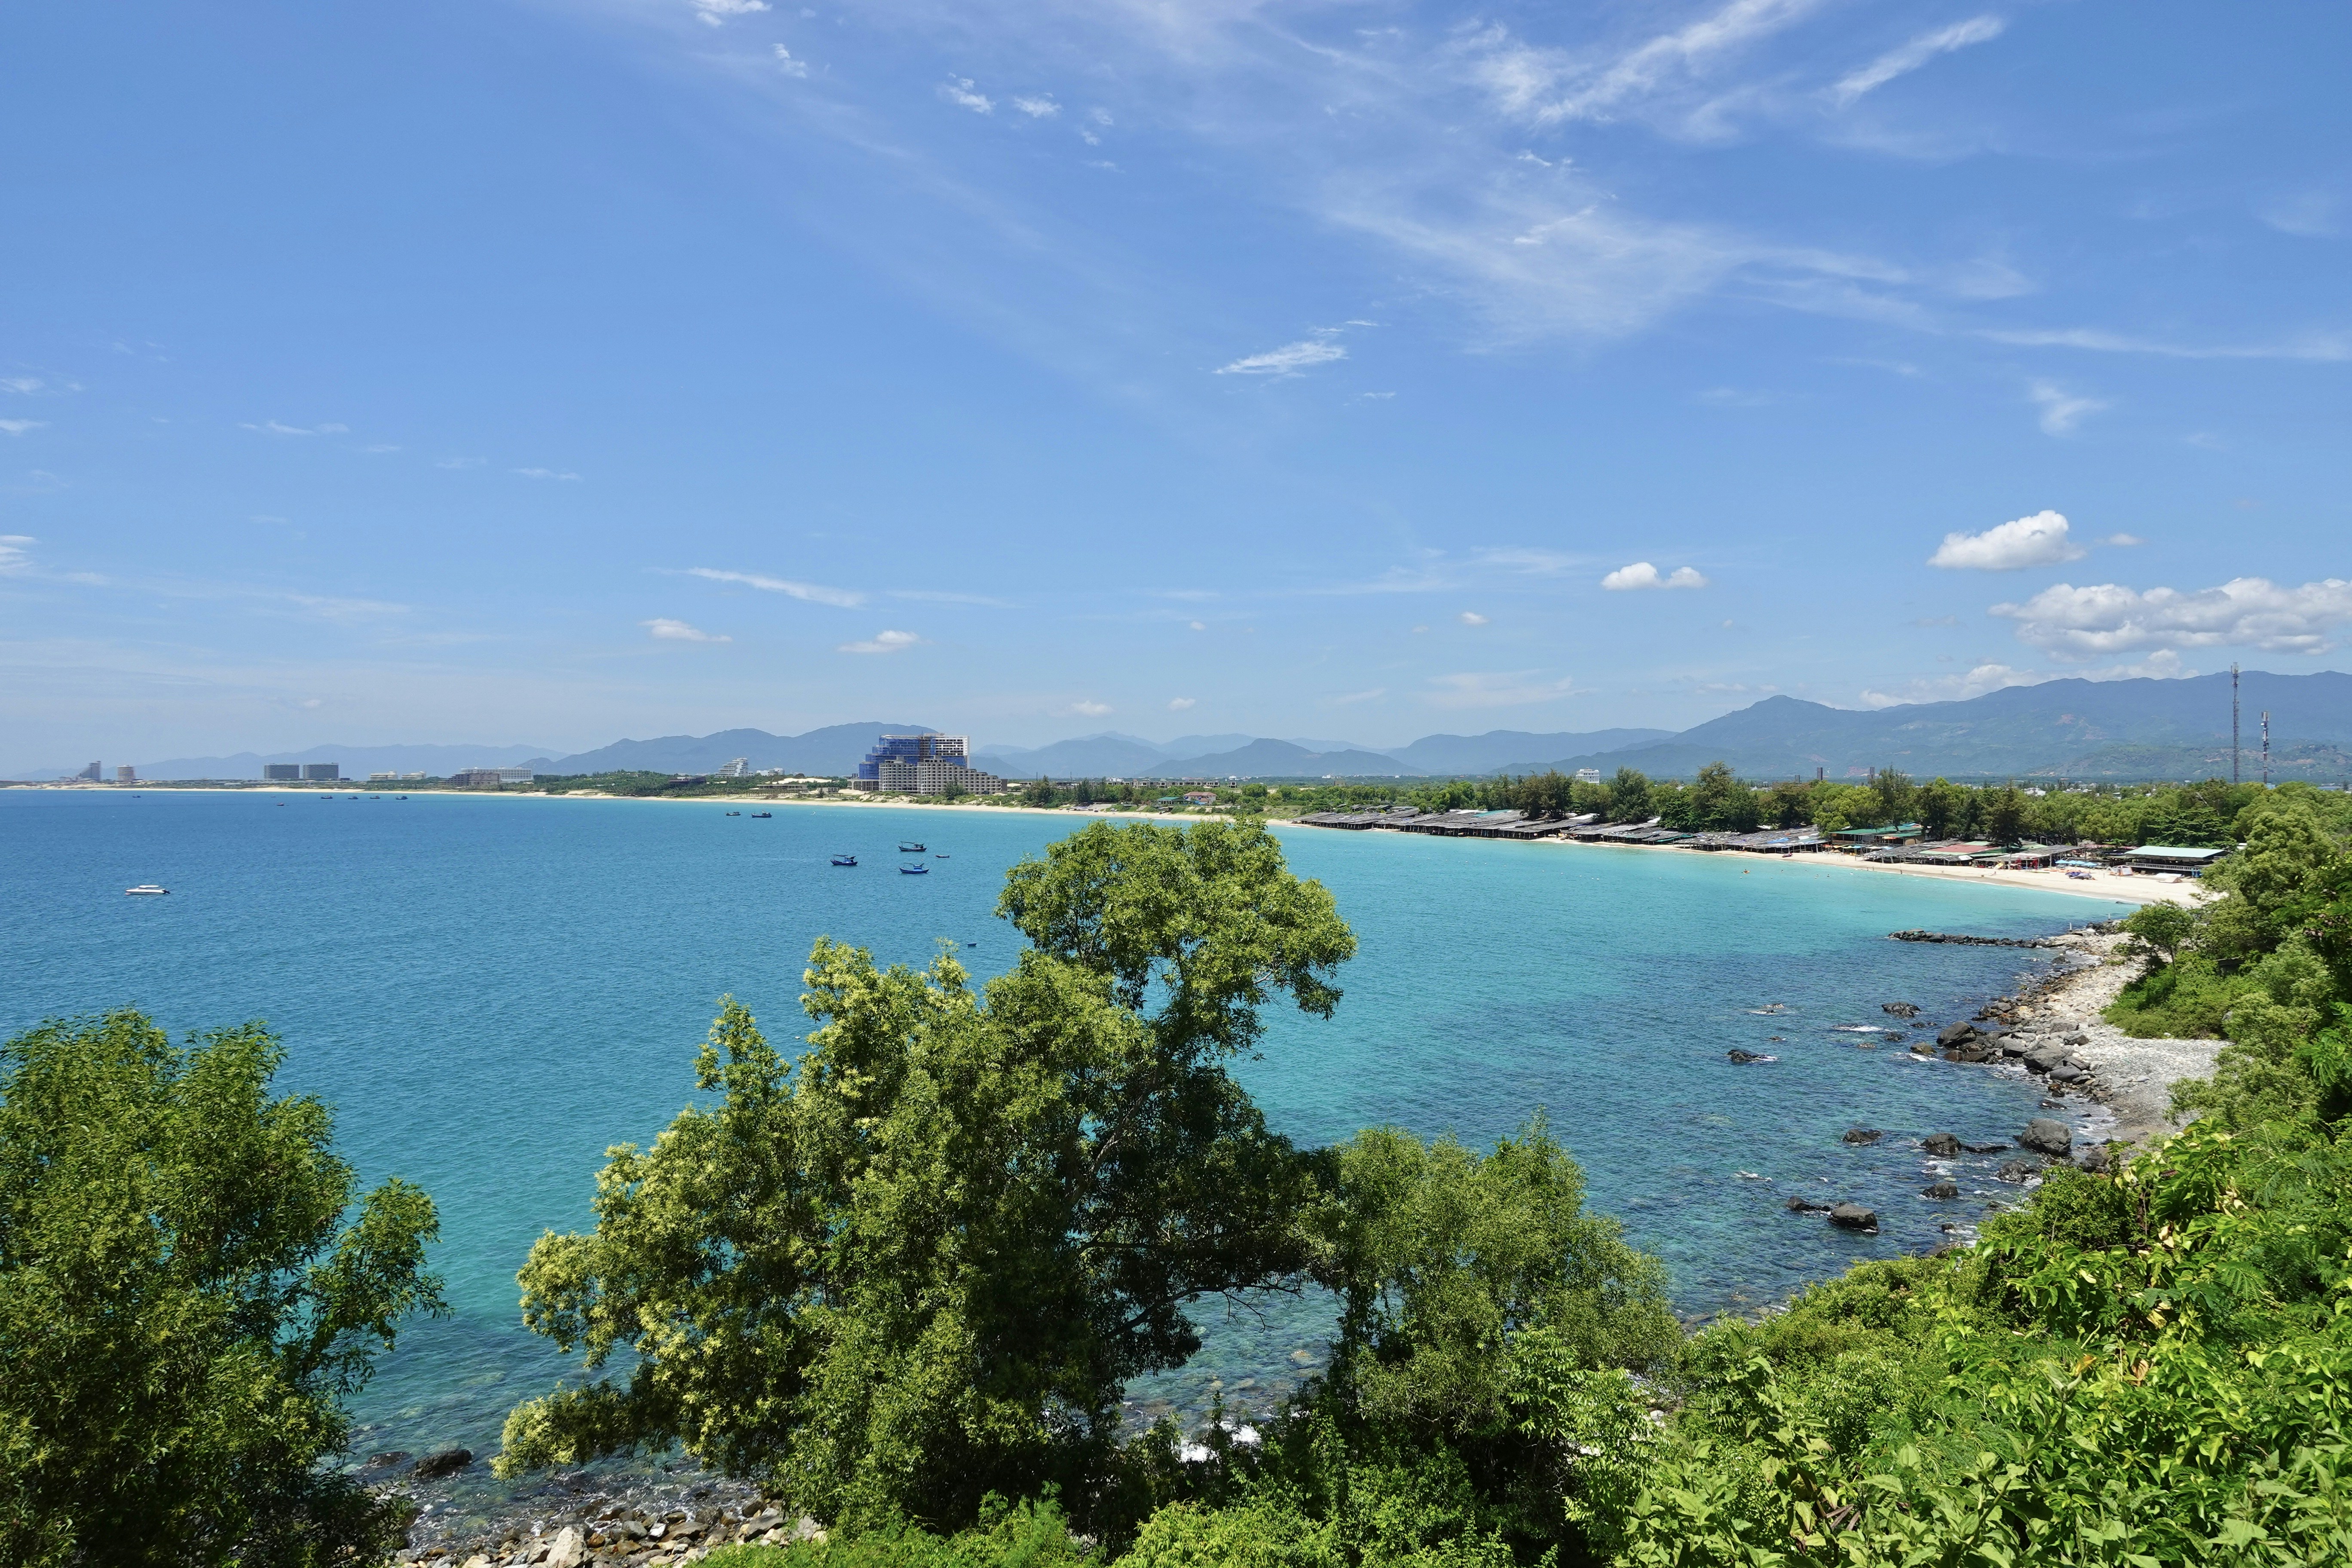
(2057, 730)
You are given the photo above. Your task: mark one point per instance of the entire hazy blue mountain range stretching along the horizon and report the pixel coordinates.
(2057, 730)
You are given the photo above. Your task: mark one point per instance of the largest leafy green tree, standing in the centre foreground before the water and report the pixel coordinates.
(921, 1264)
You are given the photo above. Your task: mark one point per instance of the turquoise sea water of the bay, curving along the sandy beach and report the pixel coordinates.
(495, 991)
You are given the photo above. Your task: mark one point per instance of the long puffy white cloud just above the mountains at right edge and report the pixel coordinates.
(2243, 612)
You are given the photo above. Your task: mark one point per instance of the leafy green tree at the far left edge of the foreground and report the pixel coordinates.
(182, 1304)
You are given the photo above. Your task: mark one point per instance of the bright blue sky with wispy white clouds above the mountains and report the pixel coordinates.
(592, 368)
